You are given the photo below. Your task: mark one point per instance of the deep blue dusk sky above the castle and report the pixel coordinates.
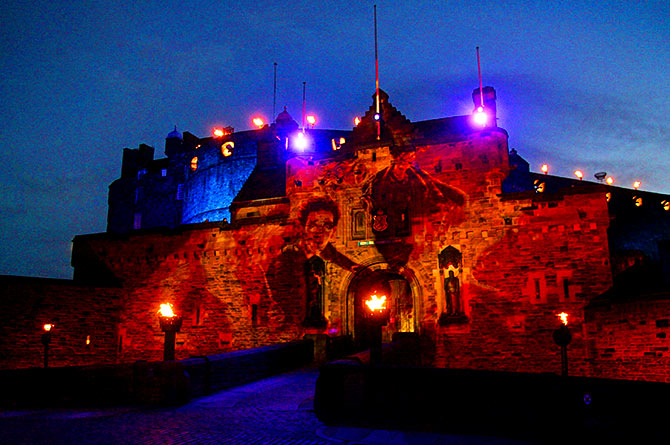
(580, 85)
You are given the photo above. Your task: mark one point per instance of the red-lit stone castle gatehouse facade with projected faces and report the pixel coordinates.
(421, 216)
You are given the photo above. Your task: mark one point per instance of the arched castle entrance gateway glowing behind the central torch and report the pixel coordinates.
(402, 299)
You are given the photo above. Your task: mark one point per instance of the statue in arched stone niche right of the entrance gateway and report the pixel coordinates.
(450, 263)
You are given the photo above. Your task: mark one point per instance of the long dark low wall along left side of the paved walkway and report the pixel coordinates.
(171, 382)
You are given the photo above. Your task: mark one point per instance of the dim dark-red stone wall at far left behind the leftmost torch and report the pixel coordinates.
(79, 313)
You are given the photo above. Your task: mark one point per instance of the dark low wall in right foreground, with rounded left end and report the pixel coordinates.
(520, 405)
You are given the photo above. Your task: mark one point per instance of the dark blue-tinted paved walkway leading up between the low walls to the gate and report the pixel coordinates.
(277, 410)
